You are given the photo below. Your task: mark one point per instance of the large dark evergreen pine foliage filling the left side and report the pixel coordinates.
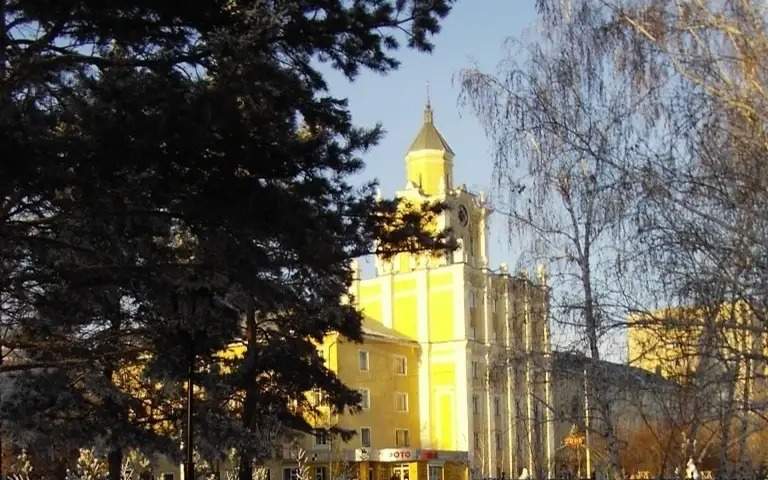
(167, 170)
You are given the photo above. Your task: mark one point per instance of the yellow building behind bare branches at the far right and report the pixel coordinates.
(717, 355)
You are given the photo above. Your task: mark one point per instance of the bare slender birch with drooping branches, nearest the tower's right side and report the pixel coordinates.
(560, 132)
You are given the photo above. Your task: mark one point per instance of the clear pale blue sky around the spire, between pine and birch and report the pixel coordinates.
(473, 33)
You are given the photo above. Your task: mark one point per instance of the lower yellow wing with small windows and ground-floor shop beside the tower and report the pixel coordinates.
(386, 445)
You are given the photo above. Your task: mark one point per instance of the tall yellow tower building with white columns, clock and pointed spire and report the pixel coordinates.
(479, 331)
